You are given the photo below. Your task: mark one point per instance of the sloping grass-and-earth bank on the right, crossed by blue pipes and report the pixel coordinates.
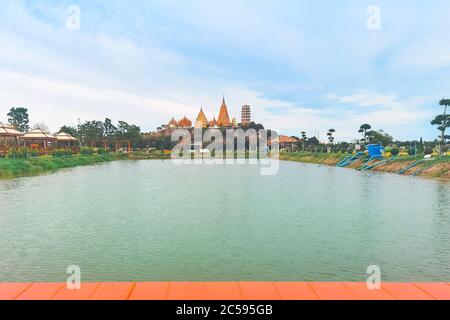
(438, 168)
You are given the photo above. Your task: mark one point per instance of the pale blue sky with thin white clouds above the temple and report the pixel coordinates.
(301, 65)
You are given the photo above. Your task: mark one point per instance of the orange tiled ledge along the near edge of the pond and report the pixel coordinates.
(225, 291)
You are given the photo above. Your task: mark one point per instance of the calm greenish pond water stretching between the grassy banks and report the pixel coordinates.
(153, 220)
